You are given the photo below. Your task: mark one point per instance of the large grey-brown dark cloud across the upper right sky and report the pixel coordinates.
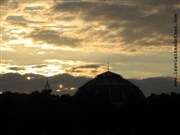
(139, 21)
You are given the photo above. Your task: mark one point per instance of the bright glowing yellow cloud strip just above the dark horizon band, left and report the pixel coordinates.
(51, 67)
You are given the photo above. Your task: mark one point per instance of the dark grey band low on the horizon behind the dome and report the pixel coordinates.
(19, 83)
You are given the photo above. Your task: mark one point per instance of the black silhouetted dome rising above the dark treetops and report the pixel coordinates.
(113, 86)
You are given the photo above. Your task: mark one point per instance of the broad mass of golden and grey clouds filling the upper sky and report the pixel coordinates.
(122, 26)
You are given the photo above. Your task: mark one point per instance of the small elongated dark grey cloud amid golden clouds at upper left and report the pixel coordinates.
(54, 38)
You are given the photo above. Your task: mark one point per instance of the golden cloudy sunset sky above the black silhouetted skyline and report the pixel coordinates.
(75, 38)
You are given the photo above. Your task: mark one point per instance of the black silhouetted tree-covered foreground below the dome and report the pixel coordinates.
(45, 114)
